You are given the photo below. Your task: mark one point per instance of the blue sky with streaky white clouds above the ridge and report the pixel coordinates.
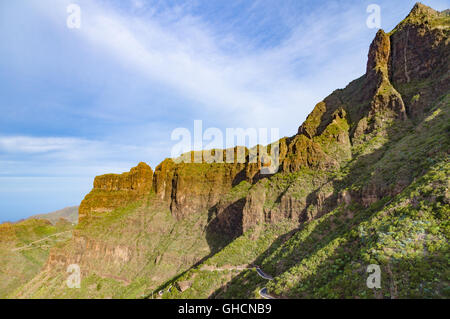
(76, 103)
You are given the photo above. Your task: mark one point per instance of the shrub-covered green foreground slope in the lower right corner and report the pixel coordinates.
(407, 236)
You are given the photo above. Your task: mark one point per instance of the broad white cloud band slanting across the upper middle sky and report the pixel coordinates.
(244, 85)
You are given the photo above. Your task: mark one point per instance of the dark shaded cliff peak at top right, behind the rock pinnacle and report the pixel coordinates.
(420, 58)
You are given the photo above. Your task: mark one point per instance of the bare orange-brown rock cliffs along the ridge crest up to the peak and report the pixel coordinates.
(342, 119)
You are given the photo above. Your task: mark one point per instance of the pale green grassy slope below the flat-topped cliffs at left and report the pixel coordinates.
(156, 247)
